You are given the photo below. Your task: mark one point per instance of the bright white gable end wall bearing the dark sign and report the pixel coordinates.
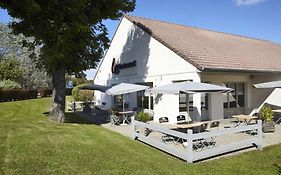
(155, 63)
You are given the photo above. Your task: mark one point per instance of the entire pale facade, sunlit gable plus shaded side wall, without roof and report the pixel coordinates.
(159, 65)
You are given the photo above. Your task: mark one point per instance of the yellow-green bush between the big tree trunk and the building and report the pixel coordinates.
(82, 95)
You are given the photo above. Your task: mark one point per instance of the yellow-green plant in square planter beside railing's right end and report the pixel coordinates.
(267, 117)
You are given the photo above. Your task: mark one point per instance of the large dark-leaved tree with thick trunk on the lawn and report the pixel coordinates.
(70, 33)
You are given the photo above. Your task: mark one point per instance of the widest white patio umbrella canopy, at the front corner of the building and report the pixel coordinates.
(189, 87)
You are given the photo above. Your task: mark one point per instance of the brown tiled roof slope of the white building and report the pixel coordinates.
(214, 51)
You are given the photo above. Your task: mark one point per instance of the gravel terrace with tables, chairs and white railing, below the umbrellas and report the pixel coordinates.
(208, 138)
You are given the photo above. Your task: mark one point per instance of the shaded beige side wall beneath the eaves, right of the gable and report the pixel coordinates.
(253, 97)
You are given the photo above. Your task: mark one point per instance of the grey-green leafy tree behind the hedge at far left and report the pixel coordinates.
(15, 63)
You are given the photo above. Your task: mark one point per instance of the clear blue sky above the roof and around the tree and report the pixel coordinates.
(253, 18)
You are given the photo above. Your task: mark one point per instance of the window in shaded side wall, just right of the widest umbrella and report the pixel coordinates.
(237, 97)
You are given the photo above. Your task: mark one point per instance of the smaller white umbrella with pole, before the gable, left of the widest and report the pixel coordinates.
(125, 88)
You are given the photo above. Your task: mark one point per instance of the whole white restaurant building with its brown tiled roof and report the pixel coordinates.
(154, 53)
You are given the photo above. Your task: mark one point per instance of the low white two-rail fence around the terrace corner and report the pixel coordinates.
(188, 153)
